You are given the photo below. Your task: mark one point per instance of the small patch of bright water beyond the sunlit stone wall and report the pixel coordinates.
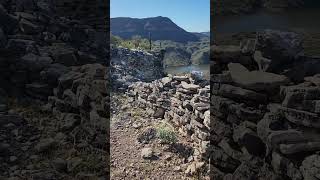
(205, 69)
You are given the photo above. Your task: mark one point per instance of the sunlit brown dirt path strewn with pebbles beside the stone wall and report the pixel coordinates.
(169, 162)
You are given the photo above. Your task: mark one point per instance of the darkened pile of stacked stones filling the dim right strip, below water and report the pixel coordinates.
(264, 115)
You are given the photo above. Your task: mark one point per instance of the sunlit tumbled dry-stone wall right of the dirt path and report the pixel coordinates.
(184, 102)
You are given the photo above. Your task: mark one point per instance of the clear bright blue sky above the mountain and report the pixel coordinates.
(191, 15)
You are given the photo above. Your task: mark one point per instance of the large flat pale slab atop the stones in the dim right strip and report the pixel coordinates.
(256, 80)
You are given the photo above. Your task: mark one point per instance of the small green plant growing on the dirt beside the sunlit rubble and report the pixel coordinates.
(166, 134)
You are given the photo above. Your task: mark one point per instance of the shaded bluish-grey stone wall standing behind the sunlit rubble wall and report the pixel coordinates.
(128, 66)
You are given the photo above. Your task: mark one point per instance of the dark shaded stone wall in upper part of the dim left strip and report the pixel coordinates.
(38, 45)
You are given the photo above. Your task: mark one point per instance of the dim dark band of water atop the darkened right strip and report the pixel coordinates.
(306, 20)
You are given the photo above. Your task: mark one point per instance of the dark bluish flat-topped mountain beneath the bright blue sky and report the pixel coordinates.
(161, 28)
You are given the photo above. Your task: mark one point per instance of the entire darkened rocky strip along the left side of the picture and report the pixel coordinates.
(53, 93)
